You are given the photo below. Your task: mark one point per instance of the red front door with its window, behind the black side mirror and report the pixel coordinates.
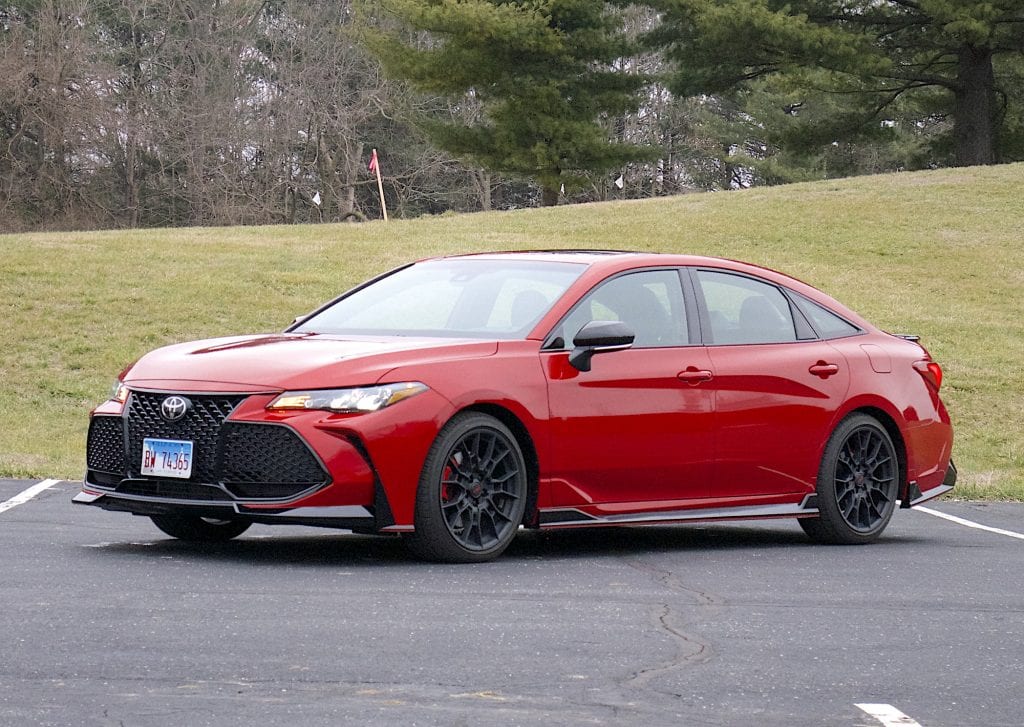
(637, 427)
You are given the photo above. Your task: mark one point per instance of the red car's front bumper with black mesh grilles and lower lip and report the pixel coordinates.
(246, 465)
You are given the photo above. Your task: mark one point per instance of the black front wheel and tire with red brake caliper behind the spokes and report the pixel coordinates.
(473, 493)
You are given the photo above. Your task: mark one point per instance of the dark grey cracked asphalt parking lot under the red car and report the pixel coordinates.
(107, 622)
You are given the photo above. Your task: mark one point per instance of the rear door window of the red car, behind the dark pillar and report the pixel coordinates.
(745, 311)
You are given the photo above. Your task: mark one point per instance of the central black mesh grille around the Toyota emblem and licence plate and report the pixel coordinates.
(200, 425)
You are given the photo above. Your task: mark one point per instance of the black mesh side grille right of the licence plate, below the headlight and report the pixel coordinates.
(268, 461)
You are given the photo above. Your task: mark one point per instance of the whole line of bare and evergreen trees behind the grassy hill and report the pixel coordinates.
(162, 113)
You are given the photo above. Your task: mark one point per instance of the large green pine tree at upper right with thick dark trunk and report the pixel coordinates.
(957, 58)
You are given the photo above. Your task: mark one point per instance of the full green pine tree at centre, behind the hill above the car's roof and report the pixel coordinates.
(543, 72)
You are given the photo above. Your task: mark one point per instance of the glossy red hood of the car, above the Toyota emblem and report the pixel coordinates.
(280, 362)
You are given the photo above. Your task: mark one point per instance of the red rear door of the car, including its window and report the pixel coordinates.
(778, 388)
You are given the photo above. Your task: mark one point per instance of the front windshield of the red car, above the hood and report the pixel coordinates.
(453, 298)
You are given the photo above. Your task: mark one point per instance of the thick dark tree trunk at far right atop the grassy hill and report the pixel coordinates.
(974, 111)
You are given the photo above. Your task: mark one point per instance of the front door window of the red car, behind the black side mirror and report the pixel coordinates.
(650, 303)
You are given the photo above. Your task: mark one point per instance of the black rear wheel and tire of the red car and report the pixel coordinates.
(859, 484)
